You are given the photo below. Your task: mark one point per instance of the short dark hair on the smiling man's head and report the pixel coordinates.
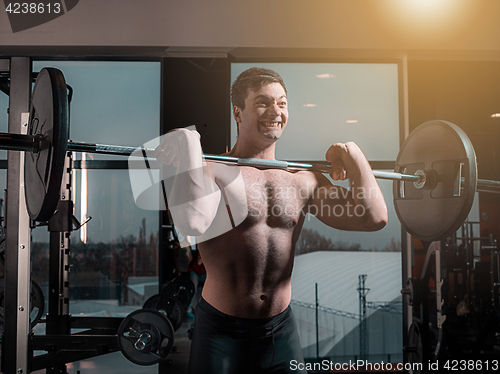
(253, 79)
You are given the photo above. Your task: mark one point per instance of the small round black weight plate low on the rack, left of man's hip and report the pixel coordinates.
(145, 337)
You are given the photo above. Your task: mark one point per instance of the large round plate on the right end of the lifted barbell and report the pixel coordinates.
(436, 213)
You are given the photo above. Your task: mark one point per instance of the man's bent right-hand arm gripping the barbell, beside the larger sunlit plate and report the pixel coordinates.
(362, 208)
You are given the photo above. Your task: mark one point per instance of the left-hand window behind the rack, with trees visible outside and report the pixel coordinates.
(114, 256)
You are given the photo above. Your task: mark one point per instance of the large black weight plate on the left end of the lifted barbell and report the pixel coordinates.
(49, 117)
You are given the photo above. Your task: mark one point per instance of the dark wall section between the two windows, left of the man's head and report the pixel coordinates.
(196, 93)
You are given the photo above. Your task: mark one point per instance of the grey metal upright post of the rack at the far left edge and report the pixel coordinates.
(15, 355)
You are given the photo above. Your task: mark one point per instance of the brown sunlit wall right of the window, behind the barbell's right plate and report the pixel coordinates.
(466, 93)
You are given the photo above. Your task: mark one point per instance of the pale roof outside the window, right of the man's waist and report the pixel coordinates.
(337, 276)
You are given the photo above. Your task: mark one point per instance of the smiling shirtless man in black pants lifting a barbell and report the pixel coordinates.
(244, 323)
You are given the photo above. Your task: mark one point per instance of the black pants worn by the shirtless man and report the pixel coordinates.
(224, 344)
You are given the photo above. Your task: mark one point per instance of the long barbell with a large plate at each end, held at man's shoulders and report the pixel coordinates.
(435, 176)
